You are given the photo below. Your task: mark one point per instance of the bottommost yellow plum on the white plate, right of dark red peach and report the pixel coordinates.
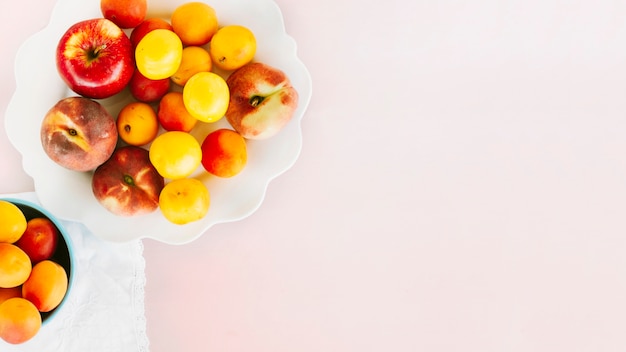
(184, 200)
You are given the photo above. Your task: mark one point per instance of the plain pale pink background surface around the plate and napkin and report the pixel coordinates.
(462, 187)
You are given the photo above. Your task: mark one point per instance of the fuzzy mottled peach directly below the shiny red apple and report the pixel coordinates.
(78, 133)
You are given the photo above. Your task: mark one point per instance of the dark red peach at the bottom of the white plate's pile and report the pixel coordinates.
(127, 184)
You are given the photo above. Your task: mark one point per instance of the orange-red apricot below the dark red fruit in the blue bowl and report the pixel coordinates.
(46, 285)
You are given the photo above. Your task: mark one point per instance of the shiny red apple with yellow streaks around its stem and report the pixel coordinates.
(95, 58)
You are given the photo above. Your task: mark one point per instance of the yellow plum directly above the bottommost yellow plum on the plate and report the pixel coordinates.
(175, 154)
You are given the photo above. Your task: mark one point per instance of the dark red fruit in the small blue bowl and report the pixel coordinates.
(39, 240)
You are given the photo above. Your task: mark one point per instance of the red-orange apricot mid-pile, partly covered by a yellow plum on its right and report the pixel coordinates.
(172, 114)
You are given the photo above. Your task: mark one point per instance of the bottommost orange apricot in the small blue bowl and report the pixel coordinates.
(19, 320)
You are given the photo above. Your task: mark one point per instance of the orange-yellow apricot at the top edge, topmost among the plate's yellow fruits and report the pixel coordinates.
(195, 22)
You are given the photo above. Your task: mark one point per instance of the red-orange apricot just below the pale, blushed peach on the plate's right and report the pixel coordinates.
(224, 153)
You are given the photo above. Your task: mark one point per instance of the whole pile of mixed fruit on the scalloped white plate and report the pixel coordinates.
(180, 72)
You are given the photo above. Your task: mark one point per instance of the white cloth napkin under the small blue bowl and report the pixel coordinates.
(104, 310)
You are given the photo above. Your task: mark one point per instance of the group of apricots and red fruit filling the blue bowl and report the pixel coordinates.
(32, 280)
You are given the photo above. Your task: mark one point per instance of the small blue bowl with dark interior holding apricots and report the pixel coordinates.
(63, 254)
